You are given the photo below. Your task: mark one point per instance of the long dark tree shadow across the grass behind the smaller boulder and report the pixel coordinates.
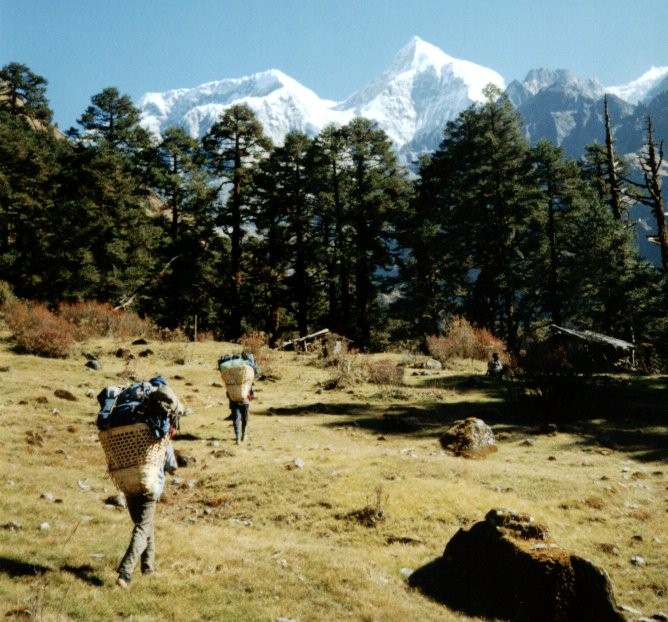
(620, 414)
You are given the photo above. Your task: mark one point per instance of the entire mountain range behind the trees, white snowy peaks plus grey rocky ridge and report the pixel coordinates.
(413, 99)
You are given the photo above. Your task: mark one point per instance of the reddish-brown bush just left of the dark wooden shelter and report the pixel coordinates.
(464, 341)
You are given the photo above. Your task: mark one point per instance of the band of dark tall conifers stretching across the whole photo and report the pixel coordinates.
(326, 231)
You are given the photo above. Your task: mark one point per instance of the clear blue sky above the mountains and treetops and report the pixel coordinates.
(334, 47)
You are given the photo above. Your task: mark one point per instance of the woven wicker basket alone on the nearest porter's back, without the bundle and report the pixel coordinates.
(134, 457)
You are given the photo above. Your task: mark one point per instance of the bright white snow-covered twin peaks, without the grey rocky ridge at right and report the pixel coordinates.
(413, 98)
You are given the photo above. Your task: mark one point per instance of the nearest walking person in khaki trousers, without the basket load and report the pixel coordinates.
(142, 506)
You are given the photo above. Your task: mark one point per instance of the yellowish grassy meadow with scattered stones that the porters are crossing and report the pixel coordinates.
(336, 497)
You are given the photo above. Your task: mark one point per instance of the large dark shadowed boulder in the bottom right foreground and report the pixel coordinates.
(506, 568)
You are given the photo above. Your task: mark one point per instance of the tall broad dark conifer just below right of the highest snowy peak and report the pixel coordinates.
(486, 190)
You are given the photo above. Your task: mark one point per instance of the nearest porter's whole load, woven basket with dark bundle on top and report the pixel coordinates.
(134, 431)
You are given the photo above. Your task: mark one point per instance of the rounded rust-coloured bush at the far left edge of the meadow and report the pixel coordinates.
(38, 331)
